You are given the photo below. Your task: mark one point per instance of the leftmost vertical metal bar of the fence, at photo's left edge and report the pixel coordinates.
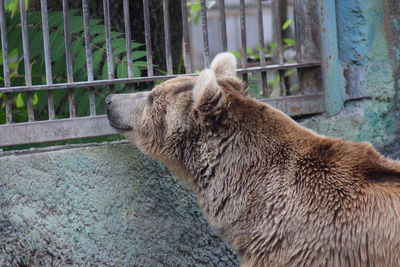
(6, 70)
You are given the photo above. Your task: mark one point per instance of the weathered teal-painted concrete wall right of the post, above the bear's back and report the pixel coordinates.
(368, 43)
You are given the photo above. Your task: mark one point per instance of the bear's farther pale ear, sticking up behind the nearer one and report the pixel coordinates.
(224, 65)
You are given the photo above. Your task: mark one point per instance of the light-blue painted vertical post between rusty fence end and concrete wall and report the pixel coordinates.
(331, 66)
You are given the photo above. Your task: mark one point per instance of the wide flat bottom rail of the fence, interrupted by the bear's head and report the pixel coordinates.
(56, 130)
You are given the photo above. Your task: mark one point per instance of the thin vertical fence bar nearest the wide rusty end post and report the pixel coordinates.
(277, 22)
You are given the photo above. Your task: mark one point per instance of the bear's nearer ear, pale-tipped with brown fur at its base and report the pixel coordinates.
(206, 92)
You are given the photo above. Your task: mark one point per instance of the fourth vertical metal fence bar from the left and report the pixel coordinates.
(68, 59)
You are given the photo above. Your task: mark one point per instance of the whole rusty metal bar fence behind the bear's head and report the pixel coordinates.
(308, 100)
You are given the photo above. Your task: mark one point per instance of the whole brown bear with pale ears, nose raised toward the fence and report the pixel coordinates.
(280, 194)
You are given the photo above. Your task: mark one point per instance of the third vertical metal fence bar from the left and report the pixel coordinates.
(47, 57)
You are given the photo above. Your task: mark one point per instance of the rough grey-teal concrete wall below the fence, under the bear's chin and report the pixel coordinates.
(100, 206)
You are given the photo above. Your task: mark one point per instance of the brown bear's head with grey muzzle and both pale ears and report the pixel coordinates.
(173, 121)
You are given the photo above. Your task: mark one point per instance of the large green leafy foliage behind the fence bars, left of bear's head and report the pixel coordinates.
(58, 61)
